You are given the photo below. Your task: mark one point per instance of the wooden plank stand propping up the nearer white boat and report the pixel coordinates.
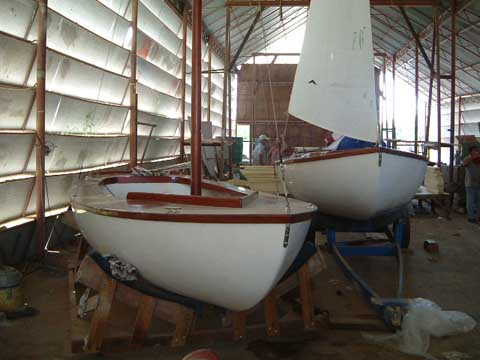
(93, 334)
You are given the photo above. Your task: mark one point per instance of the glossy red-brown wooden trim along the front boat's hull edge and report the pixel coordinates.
(206, 218)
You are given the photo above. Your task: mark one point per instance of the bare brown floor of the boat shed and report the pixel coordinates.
(451, 280)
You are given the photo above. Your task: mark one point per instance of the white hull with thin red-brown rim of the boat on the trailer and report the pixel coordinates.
(359, 186)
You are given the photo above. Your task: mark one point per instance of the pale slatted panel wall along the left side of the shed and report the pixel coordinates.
(87, 112)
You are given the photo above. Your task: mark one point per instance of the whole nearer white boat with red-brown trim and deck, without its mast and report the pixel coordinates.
(227, 256)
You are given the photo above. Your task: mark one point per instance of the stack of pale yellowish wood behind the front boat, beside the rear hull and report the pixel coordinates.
(260, 178)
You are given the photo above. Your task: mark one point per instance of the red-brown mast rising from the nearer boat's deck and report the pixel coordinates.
(196, 146)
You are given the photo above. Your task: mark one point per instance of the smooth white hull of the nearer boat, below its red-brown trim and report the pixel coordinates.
(233, 266)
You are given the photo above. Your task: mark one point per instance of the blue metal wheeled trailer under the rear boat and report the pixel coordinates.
(396, 226)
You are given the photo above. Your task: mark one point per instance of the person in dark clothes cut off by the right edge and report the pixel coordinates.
(472, 183)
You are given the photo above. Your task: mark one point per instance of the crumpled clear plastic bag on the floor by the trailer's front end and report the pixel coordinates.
(424, 319)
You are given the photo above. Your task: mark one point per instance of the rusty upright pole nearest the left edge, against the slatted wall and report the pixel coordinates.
(40, 125)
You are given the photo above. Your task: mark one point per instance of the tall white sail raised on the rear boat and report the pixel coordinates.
(334, 85)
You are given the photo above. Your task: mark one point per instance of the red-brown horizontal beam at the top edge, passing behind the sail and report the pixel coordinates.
(303, 3)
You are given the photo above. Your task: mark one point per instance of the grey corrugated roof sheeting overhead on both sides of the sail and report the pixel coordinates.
(391, 35)
